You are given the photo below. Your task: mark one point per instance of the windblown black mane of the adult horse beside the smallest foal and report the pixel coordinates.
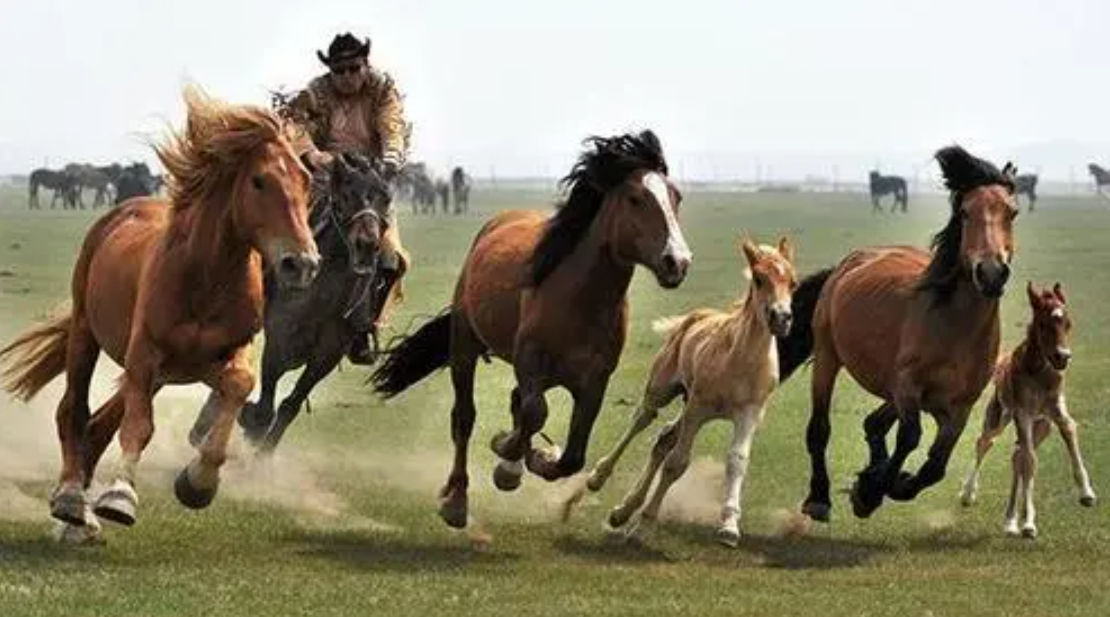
(963, 174)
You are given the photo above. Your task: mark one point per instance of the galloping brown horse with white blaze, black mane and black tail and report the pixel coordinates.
(550, 297)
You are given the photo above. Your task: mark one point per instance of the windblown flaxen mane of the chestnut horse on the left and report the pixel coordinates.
(206, 157)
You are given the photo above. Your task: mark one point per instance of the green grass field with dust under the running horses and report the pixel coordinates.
(344, 523)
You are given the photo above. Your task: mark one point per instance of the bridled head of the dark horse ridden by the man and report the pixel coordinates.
(360, 198)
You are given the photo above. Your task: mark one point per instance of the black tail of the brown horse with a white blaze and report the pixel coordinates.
(417, 357)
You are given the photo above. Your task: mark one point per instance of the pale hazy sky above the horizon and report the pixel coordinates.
(793, 87)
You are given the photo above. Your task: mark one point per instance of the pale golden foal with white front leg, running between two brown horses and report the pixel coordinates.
(725, 365)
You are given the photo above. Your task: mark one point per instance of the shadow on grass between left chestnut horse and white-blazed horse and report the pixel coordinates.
(379, 553)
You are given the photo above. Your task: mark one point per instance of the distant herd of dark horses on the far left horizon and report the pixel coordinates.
(113, 184)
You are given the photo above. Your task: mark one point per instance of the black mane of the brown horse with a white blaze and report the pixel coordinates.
(604, 165)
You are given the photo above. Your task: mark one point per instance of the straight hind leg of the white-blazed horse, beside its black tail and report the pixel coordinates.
(453, 498)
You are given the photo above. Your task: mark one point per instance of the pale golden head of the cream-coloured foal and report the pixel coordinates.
(773, 282)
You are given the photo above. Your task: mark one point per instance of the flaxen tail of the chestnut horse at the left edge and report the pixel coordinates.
(34, 360)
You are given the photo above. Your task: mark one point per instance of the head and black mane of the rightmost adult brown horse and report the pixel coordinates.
(978, 240)
